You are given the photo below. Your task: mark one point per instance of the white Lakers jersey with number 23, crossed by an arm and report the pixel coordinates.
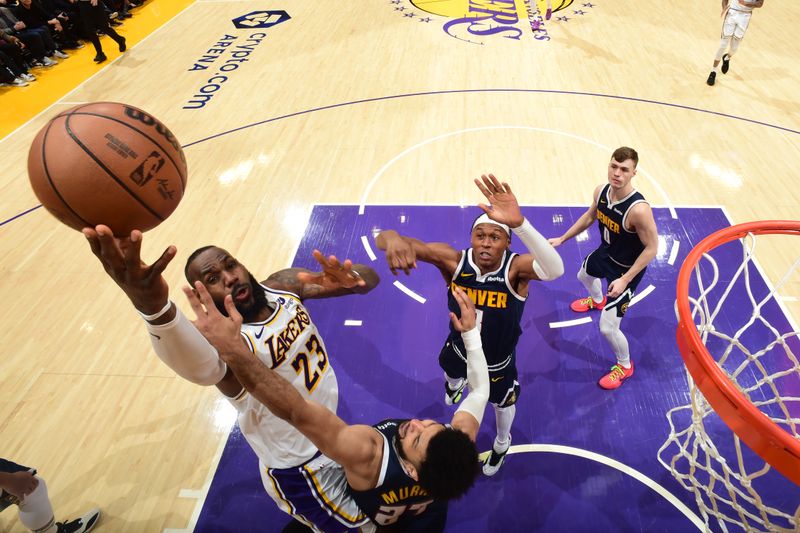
(288, 343)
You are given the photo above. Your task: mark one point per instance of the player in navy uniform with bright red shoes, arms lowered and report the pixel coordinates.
(628, 242)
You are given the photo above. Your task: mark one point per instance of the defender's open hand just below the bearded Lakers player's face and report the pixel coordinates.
(223, 332)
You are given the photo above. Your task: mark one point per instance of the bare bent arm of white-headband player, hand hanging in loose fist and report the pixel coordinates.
(402, 253)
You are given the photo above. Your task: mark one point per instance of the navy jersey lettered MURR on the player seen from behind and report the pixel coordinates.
(397, 498)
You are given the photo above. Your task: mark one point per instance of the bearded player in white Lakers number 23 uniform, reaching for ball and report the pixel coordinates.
(277, 330)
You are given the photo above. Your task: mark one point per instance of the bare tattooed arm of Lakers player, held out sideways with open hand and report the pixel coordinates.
(335, 279)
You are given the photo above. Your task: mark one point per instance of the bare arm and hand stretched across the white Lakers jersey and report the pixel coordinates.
(357, 448)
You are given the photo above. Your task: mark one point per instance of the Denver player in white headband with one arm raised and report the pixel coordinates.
(496, 280)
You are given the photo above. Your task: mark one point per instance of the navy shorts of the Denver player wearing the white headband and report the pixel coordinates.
(503, 385)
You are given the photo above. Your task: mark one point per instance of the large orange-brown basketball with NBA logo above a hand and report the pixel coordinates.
(107, 163)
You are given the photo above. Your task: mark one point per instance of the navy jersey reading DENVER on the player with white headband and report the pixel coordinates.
(498, 304)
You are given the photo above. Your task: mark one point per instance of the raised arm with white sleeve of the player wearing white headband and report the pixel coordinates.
(543, 262)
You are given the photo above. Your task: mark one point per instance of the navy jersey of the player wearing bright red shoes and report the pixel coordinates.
(623, 246)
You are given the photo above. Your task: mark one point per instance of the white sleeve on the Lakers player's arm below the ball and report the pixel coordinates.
(184, 349)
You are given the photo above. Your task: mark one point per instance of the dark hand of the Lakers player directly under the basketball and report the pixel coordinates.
(121, 258)
